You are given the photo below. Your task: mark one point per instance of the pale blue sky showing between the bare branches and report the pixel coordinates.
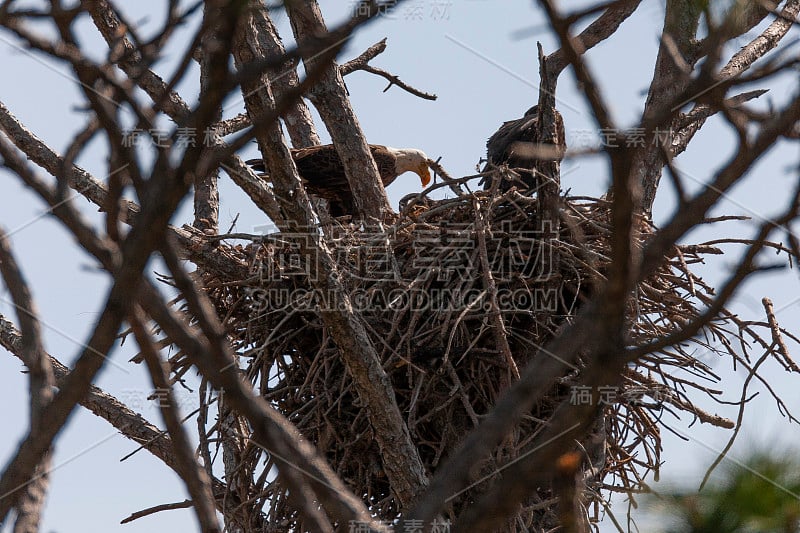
(466, 52)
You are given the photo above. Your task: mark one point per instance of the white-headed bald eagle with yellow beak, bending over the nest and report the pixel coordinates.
(322, 172)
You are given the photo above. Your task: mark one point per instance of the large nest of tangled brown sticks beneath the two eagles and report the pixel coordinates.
(423, 290)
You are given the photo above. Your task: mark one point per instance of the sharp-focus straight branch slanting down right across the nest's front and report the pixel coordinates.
(401, 459)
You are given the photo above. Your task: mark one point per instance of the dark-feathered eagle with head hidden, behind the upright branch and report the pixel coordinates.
(517, 145)
